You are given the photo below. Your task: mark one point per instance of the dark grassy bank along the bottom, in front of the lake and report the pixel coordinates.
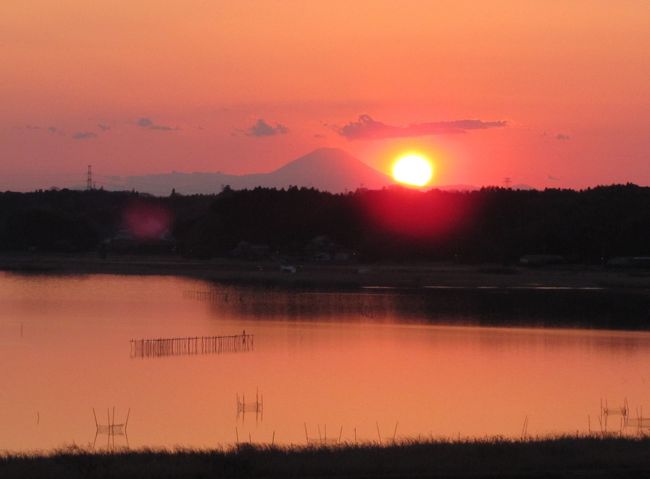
(563, 457)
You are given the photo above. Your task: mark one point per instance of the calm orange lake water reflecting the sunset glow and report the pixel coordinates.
(347, 363)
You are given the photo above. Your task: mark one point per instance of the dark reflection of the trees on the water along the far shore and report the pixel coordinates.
(514, 306)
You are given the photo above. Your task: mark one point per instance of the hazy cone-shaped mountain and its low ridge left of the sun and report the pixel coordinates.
(326, 169)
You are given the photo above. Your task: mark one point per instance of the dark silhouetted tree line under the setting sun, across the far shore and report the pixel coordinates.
(491, 224)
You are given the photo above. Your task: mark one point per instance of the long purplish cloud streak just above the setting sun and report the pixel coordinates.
(367, 128)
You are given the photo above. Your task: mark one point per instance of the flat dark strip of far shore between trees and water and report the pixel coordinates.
(330, 275)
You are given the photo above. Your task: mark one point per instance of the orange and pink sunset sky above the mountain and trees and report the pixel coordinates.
(547, 93)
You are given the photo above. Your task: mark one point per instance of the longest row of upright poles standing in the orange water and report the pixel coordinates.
(151, 348)
